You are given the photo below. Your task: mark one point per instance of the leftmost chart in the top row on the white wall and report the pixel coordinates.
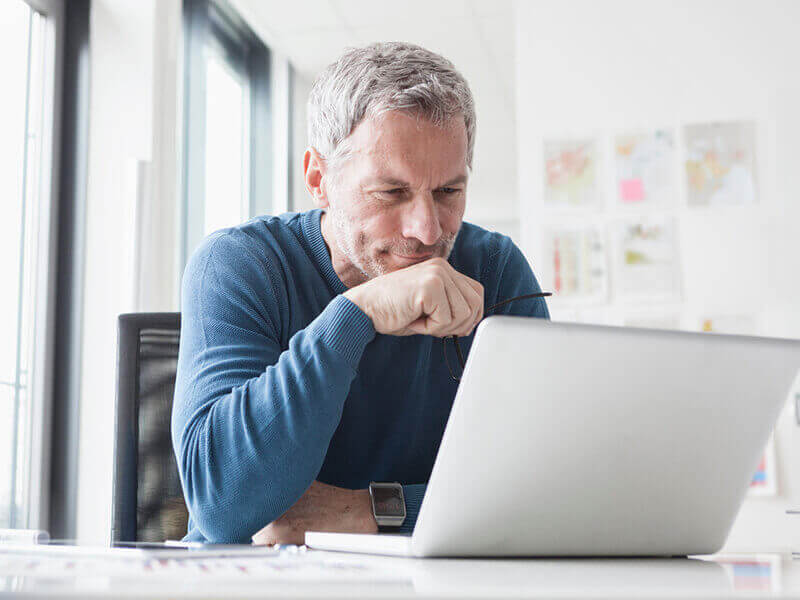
(570, 173)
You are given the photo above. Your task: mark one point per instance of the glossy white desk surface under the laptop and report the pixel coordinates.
(297, 573)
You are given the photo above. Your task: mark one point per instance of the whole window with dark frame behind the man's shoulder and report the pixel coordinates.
(227, 142)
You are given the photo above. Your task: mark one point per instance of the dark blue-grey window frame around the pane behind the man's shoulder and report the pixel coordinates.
(216, 23)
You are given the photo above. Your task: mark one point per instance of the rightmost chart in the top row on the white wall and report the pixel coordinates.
(721, 163)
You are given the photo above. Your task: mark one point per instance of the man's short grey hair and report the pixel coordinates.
(366, 82)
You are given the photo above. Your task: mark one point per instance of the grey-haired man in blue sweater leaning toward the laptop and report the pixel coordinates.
(311, 355)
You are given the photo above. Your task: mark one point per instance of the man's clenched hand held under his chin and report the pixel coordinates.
(430, 298)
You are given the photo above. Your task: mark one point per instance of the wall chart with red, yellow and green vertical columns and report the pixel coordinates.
(577, 257)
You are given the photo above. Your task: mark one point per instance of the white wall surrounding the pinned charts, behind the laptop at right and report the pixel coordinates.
(598, 68)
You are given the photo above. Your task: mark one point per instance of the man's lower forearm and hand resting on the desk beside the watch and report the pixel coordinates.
(322, 508)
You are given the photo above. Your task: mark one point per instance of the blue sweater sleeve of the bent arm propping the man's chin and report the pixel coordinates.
(252, 422)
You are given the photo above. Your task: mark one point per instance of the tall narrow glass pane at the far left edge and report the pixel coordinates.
(21, 105)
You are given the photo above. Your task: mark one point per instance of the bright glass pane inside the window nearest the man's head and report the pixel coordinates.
(226, 141)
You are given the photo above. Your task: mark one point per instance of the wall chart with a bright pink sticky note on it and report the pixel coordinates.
(646, 170)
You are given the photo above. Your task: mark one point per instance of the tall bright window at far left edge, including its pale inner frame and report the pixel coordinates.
(26, 120)
